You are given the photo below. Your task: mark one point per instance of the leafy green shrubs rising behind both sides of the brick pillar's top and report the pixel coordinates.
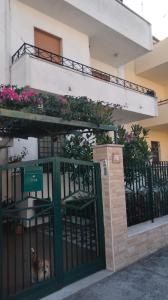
(79, 145)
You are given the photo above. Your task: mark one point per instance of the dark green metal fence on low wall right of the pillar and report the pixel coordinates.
(146, 189)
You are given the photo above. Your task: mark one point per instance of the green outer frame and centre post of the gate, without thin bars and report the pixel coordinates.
(62, 278)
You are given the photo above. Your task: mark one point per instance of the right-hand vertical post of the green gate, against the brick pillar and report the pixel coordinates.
(100, 219)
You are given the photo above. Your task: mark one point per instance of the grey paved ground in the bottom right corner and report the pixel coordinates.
(145, 280)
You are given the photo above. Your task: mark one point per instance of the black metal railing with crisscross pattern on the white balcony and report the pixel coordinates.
(78, 67)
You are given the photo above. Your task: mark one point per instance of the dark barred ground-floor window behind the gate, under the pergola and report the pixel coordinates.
(48, 147)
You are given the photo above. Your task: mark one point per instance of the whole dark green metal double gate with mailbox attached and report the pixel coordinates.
(51, 226)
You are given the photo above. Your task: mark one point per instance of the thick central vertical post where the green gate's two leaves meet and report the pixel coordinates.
(58, 248)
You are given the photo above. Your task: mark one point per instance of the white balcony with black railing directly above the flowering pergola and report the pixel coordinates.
(47, 72)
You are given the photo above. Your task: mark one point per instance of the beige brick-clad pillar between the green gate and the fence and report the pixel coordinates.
(115, 223)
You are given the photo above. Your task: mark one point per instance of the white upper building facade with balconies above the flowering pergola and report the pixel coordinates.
(77, 48)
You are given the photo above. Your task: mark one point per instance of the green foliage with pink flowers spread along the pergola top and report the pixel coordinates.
(65, 107)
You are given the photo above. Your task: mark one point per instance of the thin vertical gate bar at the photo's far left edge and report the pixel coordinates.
(1, 240)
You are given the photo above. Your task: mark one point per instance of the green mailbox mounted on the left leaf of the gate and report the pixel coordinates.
(32, 179)
